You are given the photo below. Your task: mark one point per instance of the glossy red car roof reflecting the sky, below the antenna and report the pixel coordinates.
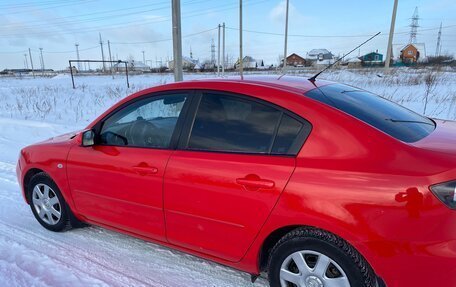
(294, 83)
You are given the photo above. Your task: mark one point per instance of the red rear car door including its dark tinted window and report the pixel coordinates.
(234, 159)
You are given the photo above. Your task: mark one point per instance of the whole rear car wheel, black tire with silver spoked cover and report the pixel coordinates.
(313, 257)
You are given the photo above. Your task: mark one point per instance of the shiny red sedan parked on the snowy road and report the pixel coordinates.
(315, 183)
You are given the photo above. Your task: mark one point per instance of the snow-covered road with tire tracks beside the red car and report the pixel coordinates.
(33, 256)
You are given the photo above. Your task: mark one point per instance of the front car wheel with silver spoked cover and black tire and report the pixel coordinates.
(47, 203)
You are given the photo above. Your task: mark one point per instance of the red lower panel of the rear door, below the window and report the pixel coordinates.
(210, 211)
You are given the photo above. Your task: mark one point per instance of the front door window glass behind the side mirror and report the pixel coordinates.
(146, 123)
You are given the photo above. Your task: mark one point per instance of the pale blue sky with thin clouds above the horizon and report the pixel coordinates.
(145, 25)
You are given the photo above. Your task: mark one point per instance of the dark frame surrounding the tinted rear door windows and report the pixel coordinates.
(195, 103)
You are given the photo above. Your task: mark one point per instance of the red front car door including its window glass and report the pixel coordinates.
(119, 181)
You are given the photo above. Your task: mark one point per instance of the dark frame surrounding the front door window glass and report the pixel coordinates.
(158, 95)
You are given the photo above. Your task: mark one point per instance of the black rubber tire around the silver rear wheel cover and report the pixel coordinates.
(369, 279)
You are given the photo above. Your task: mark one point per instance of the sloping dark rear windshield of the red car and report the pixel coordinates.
(391, 118)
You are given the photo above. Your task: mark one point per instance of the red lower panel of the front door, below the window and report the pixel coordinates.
(127, 194)
